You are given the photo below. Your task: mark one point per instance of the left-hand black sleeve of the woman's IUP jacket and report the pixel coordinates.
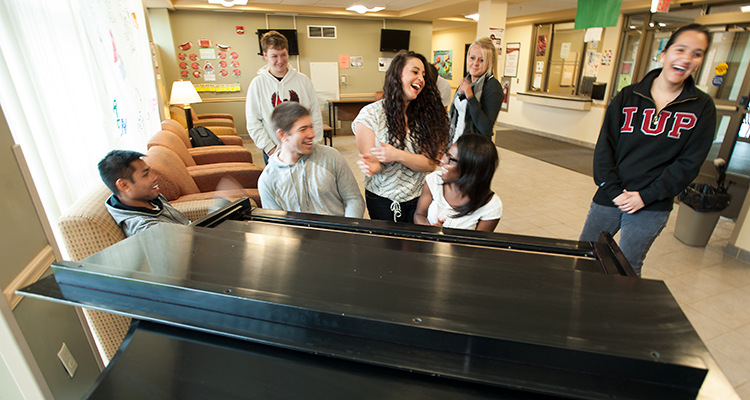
(605, 168)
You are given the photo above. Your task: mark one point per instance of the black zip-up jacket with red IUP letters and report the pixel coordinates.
(655, 155)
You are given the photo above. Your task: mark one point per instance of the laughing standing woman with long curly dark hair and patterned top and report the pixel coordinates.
(400, 138)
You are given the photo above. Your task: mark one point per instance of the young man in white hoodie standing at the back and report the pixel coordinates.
(276, 83)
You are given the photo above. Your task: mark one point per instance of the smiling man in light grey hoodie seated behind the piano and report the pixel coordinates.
(304, 176)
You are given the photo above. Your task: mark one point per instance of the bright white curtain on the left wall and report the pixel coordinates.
(76, 80)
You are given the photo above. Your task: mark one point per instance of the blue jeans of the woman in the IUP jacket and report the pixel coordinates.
(638, 230)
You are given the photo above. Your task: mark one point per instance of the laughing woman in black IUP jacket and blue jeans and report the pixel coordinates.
(655, 137)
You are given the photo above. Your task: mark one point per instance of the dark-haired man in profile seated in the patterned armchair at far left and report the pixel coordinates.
(135, 203)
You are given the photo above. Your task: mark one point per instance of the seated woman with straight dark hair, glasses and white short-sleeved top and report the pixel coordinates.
(458, 195)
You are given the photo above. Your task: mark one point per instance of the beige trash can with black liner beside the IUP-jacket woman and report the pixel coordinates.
(701, 208)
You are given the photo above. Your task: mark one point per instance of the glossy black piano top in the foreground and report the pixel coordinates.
(469, 312)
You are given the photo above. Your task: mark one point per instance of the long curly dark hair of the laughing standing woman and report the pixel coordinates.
(428, 122)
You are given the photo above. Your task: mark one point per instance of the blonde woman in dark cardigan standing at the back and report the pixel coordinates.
(477, 101)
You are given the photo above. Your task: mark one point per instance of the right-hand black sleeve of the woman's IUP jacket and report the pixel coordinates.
(686, 167)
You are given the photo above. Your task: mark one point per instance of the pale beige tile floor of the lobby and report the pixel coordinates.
(713, 289)
